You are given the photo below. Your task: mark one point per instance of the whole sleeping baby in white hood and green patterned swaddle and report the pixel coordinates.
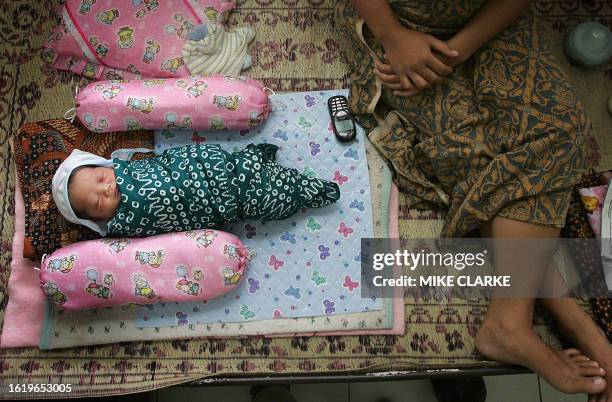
(188, 188)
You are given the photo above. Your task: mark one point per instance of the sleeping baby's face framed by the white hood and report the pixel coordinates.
(93, 193)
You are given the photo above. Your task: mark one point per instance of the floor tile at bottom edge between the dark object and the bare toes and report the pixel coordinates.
(512, 388)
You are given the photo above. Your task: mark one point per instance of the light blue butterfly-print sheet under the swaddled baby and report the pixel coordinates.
(312, 258)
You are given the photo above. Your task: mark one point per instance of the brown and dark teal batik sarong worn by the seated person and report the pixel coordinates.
(503, 135)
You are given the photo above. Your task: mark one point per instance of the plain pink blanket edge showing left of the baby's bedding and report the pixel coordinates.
(24, 313)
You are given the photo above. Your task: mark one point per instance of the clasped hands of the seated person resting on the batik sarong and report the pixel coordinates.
(414, 61)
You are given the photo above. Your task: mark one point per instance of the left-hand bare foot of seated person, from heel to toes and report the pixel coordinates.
(564, 371)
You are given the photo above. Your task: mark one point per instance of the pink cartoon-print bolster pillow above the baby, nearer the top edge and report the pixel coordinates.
(199, 103)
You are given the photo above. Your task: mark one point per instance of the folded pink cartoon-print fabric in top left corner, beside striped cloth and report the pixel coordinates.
(121, 39)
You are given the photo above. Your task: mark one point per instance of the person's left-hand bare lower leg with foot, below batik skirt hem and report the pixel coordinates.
(507, 333)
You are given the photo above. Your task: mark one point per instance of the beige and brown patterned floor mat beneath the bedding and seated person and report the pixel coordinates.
(296, 49)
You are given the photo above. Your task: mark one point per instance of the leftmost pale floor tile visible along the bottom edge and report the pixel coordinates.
(205, 394)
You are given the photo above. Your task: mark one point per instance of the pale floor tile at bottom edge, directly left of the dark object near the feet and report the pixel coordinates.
(395, 391)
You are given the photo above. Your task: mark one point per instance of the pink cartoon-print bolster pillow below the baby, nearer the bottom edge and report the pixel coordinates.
(177, 267)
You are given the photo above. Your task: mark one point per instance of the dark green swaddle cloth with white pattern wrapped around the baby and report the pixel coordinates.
(203, 186)
